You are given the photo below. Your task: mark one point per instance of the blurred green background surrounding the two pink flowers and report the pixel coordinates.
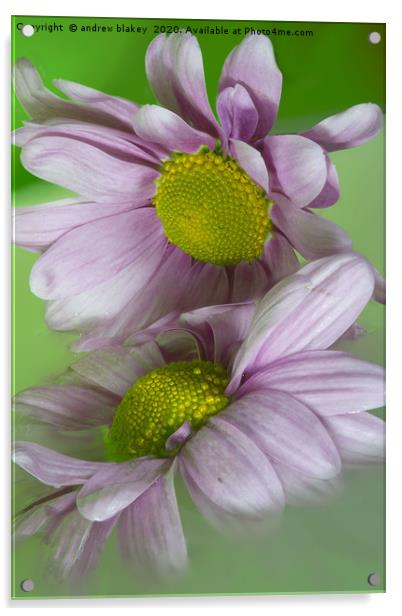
(332, 548)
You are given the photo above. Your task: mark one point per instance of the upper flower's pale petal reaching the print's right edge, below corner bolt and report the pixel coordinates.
(349, 128)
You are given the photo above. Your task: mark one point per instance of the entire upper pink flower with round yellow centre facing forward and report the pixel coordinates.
(175, 210)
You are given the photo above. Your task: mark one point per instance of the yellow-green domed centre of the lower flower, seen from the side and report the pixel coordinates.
(158, 404)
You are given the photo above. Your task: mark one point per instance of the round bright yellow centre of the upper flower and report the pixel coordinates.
(211, 208)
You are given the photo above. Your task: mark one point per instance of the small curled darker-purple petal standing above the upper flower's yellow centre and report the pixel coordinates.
(237, 113)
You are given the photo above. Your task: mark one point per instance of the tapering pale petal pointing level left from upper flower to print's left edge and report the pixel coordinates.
(38, 226)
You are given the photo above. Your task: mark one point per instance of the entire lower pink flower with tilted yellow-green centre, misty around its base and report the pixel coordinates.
(245, 401)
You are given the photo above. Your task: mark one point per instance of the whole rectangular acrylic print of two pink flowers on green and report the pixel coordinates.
(305, 499)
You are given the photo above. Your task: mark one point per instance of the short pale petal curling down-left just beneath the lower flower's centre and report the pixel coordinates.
(116, 486)
